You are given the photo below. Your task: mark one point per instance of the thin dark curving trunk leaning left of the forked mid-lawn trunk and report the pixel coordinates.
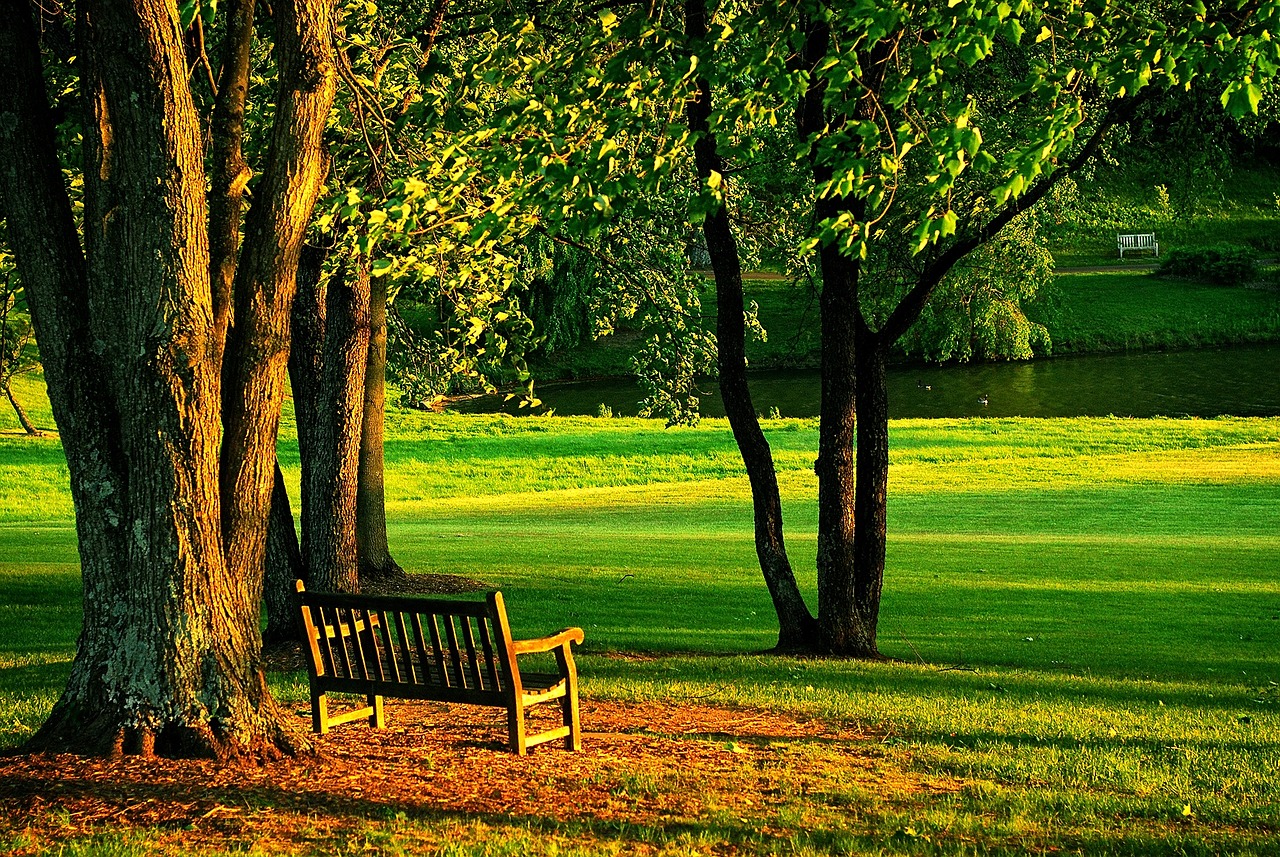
(797, 626)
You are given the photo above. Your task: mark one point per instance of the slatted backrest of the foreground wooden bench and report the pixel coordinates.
(459, 649)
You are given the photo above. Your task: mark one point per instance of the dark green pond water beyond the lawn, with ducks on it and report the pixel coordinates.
(1208, 383)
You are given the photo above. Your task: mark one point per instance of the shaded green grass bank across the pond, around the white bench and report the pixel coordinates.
(1109, 311)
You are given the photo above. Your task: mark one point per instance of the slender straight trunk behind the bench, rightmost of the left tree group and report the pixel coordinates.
(374, 552)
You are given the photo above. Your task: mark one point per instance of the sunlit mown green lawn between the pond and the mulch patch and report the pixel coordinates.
(1086, 613)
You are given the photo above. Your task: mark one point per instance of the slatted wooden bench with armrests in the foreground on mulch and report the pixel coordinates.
(433, 649)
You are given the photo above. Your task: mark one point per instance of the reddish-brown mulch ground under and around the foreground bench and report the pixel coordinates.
(641, 766)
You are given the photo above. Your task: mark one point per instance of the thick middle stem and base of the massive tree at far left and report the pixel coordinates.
(168, 661)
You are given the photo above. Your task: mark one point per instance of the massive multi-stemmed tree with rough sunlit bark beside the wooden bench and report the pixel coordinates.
(171, 453)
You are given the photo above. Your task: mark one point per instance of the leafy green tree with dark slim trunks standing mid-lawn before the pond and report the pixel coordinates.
(925, 130)
